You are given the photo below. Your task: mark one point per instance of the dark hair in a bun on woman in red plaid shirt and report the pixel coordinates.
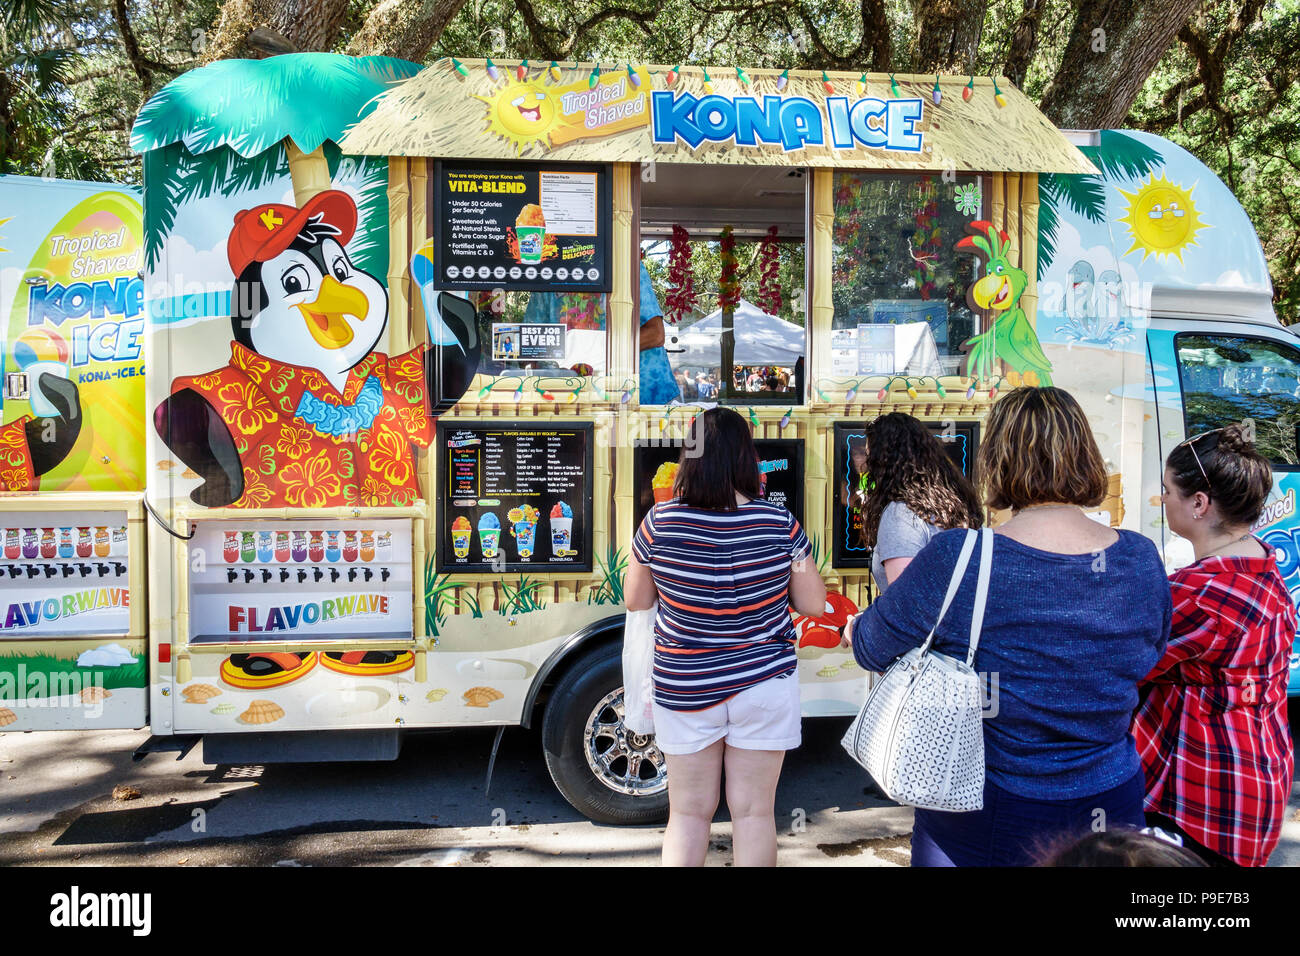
(1237, 478)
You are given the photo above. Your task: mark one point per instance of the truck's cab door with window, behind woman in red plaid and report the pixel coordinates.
(1214, 374)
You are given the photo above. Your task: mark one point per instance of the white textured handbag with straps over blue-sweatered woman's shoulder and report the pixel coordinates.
(920, 733)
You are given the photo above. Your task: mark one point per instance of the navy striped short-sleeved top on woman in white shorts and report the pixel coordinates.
(723, 581)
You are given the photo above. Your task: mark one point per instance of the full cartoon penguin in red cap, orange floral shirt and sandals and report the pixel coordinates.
(307, 413)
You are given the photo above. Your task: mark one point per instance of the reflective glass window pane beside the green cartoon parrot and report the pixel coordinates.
(898, 282)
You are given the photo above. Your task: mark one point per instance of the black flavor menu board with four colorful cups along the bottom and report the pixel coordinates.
(515, 496)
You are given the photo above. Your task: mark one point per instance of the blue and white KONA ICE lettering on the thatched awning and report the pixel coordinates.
(792, 123)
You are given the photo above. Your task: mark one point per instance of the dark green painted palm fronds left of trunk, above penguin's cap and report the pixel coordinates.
(187, 179)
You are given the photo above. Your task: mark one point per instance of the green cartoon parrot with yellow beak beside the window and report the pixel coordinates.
(1012, 338)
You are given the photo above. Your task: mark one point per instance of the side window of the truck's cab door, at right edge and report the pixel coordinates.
(1229, 379)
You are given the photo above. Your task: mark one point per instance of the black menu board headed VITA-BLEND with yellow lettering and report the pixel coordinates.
(522, 227)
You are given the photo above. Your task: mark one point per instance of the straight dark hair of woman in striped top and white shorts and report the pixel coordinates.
(718, 461)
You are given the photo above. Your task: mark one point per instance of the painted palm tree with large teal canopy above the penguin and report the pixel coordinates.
(218, 129)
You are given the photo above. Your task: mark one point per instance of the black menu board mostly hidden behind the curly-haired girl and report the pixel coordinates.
(850, 487)
